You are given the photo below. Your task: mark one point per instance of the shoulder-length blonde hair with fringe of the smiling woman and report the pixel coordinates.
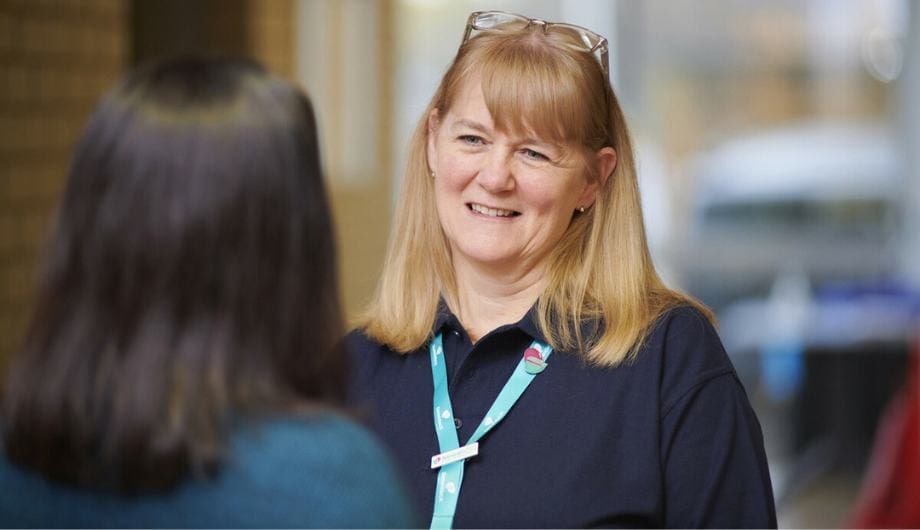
(603, 293)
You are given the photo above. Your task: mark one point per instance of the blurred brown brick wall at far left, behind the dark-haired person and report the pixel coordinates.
(57, 57)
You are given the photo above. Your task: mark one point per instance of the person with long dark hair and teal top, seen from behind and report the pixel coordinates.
(184, 364)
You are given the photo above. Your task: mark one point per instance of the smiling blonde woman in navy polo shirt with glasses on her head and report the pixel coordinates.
(522, 358)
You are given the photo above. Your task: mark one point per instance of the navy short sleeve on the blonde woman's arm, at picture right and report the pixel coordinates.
(712, 453)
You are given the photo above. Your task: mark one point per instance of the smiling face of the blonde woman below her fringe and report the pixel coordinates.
(504, 198)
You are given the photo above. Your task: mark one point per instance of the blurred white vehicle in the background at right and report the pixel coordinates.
(819, 199)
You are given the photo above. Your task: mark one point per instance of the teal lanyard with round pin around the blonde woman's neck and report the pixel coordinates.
(450, 476)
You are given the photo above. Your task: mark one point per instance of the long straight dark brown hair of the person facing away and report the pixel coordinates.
(191, 280)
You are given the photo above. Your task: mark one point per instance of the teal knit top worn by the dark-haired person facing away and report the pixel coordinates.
(322, 472)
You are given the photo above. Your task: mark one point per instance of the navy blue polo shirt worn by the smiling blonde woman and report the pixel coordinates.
(669, 440)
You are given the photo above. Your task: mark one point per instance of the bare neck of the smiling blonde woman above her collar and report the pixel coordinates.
(489, 299)
